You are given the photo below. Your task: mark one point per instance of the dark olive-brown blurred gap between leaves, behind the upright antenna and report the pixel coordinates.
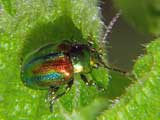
(125, 43)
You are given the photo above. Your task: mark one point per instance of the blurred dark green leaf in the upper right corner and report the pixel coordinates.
(143, 14)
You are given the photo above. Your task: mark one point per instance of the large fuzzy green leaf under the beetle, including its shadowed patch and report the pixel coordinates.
(38, 22)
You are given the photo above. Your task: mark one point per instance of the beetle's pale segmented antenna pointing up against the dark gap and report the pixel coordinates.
(111, 24)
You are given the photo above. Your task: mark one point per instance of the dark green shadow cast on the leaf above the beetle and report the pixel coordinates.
(55, 31)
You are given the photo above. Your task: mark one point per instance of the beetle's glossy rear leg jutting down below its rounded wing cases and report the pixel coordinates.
(53, 96)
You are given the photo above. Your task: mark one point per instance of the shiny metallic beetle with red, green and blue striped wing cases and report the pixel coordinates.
(50, 67)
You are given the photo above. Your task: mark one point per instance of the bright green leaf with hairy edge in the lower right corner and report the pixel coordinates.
(142, 100)
